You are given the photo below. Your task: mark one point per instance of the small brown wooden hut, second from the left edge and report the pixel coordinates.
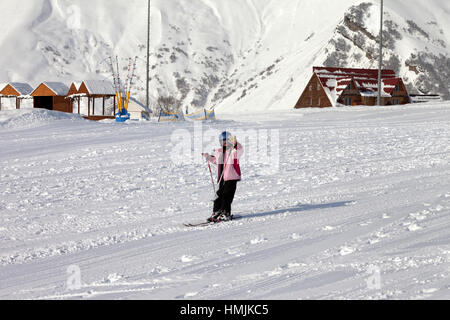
(52, 96)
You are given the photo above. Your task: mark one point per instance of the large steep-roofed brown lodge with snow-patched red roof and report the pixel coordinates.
(329, 87)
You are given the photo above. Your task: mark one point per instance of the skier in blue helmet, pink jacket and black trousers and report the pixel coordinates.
(229, 173)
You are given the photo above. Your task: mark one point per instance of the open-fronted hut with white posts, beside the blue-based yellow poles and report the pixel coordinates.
(93, 99)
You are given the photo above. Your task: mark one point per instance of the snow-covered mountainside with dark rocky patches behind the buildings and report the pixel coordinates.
(233, 55)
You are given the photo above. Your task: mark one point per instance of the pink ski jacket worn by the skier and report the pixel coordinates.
(232, 170)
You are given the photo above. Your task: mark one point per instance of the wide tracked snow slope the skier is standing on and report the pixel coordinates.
(359, 208)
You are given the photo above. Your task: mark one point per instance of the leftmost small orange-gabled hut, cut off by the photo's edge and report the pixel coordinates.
(15, 95)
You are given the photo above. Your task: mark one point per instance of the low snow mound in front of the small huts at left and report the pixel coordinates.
(18, 119)
